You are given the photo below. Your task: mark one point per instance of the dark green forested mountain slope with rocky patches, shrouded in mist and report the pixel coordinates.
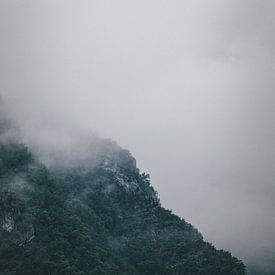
(101, 216)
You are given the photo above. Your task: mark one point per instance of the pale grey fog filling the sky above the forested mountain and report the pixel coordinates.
(186, 86)
